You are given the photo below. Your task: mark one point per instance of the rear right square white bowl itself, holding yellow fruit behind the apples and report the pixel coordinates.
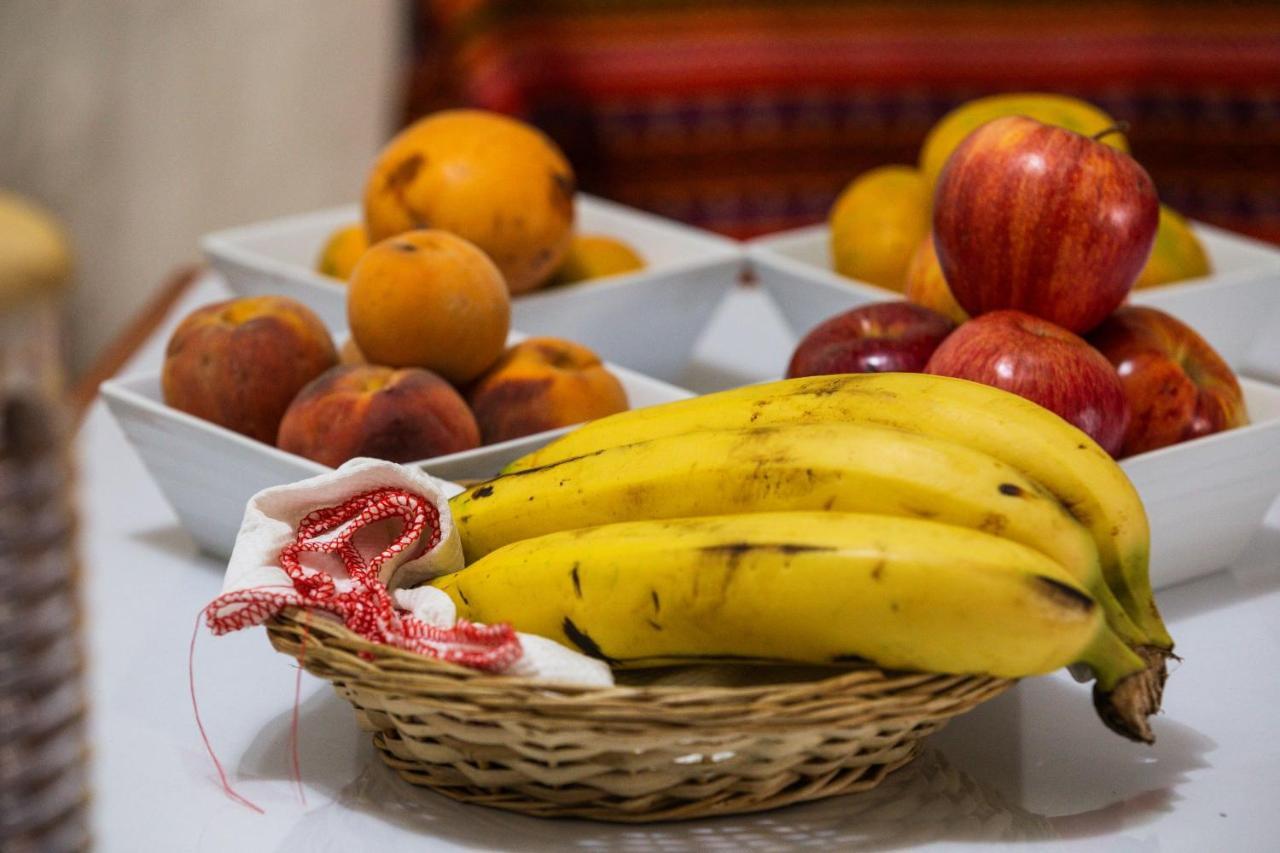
(1237, 309)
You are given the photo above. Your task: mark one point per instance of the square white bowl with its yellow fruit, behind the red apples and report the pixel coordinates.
(879, 245)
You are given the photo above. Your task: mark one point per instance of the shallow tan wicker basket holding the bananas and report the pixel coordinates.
(628, 754)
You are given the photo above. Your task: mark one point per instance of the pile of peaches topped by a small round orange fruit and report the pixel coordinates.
(267, 368)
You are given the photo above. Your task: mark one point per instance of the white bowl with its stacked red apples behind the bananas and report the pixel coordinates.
(1040, 235)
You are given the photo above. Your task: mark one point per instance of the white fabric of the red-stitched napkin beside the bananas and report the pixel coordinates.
(272, 521)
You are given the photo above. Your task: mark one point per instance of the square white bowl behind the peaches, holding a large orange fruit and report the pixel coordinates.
(648, 321)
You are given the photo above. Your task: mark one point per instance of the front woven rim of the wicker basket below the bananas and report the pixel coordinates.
(318, 624)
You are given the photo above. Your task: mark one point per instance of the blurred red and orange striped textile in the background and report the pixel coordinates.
(749, 117)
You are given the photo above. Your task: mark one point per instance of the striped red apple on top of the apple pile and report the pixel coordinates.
(1044, 221)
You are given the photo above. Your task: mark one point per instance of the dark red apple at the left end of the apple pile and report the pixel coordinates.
(872, 339)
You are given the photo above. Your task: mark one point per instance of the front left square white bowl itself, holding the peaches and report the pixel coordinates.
(209, 473)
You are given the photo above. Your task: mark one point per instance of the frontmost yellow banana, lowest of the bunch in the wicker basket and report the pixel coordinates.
(804, 587)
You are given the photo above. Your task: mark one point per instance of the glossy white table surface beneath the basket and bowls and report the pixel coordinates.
(1030, 767)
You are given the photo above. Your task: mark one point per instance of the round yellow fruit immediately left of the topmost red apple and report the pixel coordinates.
(876, 225)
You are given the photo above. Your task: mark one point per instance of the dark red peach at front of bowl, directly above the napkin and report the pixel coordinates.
(362, 410)
